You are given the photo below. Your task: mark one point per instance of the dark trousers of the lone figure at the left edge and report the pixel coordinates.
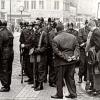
(6, 72)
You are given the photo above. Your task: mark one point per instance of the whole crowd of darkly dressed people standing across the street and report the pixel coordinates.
(49, 53)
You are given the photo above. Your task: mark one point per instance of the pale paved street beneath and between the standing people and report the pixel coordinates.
(25, 92)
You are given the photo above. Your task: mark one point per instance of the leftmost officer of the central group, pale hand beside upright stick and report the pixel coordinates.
(25, 43)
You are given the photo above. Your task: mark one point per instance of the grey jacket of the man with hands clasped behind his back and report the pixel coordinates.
(64, 45)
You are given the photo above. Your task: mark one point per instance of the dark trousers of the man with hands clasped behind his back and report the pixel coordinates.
(66, 72)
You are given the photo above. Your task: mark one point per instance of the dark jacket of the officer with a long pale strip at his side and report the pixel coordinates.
(43, 49)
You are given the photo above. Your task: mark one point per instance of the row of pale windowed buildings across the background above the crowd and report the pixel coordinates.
(65, 10)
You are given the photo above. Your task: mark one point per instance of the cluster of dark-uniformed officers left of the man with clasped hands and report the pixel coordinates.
(38, 52)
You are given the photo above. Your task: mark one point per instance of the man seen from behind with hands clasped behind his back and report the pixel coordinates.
(66, 51)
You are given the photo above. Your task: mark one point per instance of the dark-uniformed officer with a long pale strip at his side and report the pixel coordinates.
(40, 56)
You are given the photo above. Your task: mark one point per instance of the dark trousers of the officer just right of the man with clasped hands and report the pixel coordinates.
(83, 65)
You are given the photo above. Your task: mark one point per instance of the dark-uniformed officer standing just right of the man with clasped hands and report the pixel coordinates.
(82, 37)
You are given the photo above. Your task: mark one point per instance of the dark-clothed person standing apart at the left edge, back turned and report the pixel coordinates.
(6, 57)
